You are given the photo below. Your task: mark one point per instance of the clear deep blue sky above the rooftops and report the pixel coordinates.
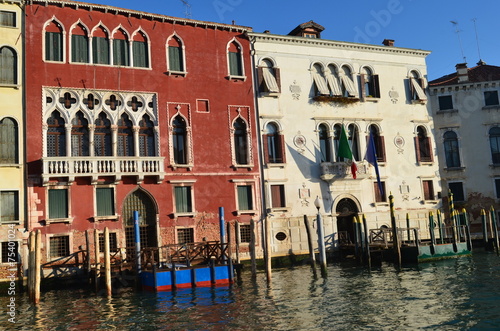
(455, 31)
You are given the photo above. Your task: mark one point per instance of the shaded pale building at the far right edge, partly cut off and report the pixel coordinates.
(466, 111)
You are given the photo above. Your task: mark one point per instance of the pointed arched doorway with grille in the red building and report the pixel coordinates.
(142, 202)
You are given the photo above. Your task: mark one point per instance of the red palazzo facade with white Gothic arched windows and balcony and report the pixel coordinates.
(130, 111)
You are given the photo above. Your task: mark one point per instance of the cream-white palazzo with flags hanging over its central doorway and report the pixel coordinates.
(307, 88)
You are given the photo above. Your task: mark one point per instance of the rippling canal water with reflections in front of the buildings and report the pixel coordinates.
(457, 294)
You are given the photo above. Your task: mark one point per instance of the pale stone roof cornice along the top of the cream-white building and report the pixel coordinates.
(266, 37)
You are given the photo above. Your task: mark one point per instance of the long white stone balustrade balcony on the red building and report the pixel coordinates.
(72, 167)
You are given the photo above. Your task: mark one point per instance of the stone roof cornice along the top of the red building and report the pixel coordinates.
(141, 15)
